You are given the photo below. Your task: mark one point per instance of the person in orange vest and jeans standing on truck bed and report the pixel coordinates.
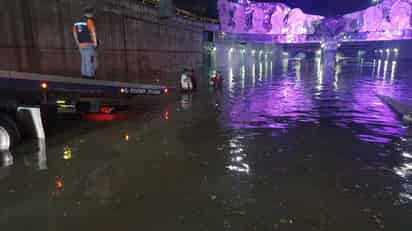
(84, 32)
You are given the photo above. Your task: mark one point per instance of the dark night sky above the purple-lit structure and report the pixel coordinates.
(320, 7)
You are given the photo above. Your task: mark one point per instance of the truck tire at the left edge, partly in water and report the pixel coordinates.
(9, 133)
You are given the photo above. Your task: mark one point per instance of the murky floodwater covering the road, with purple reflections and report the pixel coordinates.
(286, 145)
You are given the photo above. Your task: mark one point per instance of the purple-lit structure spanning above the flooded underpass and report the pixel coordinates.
(388, 20)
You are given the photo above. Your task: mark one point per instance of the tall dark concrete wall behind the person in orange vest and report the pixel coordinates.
(135, 44)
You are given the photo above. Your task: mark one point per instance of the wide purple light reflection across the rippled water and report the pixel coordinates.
(282, 102)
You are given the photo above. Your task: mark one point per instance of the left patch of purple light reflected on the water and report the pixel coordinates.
(272, 107)
